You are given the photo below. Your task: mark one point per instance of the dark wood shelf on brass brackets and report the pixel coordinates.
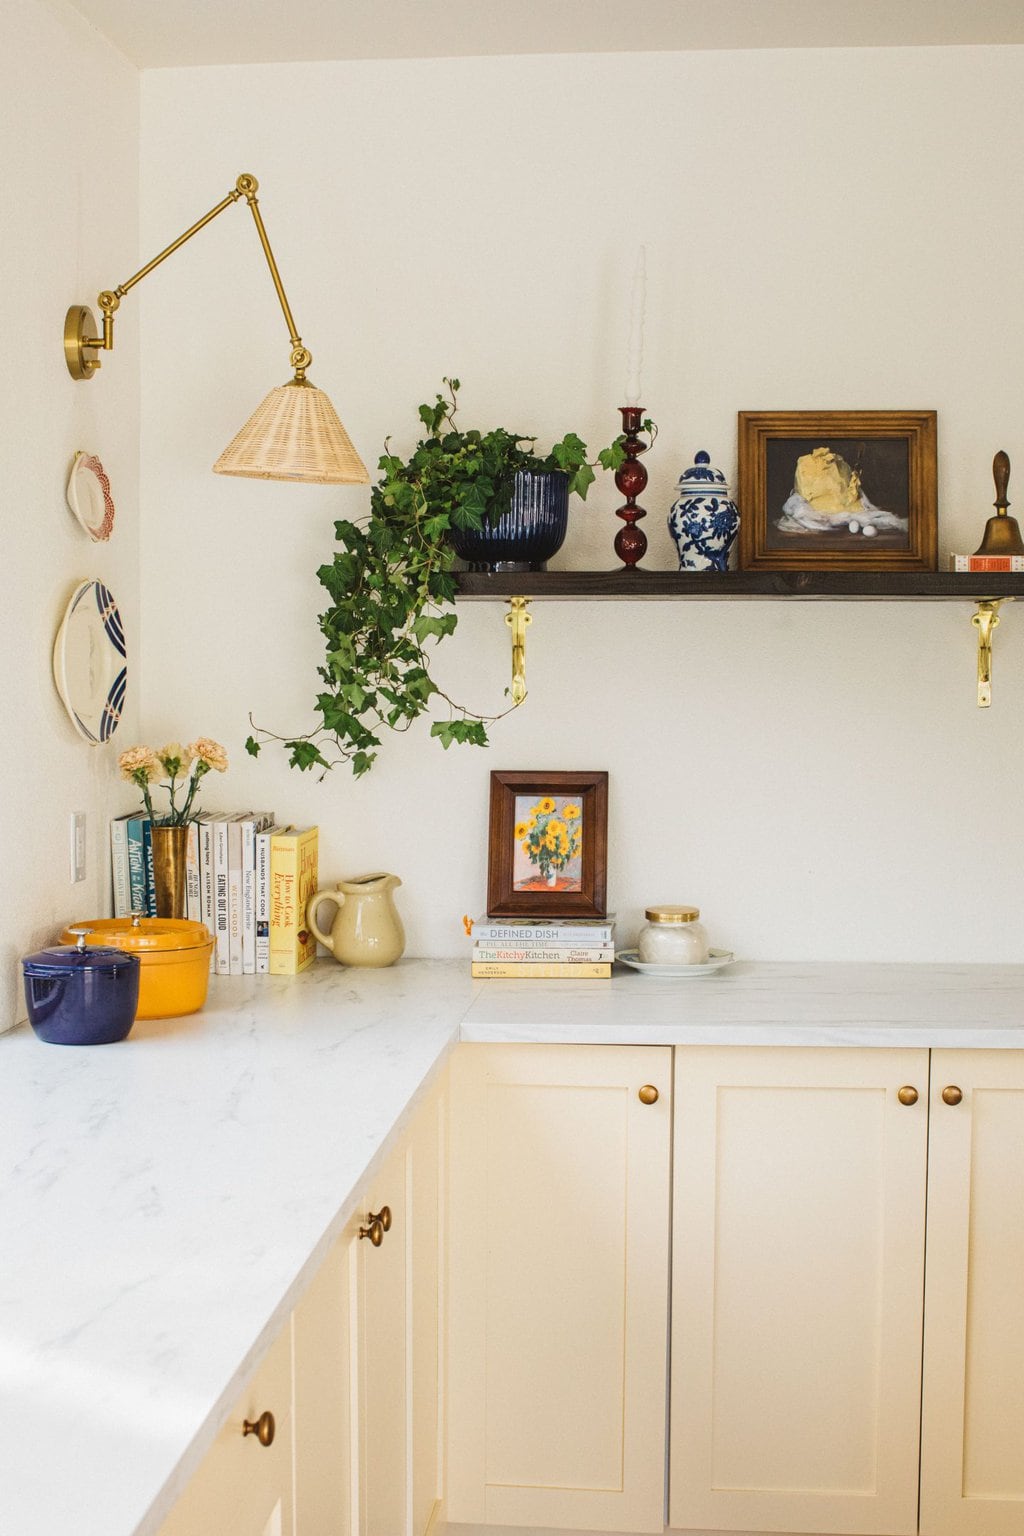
(684, 586)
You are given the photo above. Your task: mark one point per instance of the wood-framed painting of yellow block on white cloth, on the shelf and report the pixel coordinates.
(845, 491)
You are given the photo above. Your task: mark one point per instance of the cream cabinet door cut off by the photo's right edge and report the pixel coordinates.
(973, 1452)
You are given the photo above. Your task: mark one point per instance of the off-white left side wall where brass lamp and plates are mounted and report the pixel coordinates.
(70, 228)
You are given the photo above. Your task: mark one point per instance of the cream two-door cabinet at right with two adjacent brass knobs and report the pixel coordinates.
(802, 1293)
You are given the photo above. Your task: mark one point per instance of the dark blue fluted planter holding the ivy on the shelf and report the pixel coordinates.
(524, 537)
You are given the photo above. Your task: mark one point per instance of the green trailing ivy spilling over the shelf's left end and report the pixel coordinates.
(392, 586)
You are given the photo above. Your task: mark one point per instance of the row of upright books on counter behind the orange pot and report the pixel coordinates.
(246, 878)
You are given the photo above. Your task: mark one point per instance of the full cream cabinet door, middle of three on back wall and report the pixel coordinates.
(799, 1251)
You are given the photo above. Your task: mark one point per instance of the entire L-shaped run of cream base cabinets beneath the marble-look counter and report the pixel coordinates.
(847, 1306)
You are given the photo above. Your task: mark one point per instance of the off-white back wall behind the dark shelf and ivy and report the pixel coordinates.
(824, 230)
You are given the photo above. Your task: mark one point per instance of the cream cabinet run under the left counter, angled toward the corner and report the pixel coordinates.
(351, 1382)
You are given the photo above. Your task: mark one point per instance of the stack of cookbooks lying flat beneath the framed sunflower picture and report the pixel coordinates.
(570, 948)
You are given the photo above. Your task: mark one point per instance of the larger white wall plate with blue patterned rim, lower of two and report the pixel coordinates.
(91, 663)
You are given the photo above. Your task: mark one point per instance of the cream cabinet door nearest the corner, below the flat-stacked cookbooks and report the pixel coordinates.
(558, 1286)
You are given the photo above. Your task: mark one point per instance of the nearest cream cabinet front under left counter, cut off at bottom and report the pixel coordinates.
(245, 1488)
